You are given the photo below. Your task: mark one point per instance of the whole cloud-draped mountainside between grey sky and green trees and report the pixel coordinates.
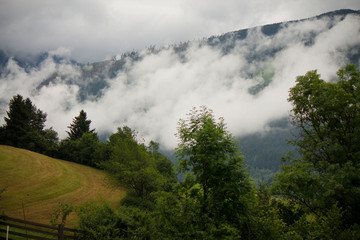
(243, 76)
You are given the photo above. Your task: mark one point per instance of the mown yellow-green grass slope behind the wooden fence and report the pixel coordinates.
(35, 184)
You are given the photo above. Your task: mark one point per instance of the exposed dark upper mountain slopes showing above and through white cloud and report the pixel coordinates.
(93, 77)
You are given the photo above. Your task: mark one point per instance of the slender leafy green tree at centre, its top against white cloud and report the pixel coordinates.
(210, 152)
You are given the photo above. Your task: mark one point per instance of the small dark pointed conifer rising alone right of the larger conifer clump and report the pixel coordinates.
(79, 126)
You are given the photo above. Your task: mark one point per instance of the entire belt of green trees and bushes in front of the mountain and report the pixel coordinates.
(315, 194)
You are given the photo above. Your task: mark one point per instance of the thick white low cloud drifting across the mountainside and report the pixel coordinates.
(153, 93)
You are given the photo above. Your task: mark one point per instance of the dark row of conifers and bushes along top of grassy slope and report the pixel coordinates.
(25, 128)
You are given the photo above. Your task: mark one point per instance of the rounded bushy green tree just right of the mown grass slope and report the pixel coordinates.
(131, 165)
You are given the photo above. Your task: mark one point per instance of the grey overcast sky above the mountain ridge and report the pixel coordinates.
(97, 29)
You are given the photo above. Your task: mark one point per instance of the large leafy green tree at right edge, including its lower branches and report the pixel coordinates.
(328, 172)
